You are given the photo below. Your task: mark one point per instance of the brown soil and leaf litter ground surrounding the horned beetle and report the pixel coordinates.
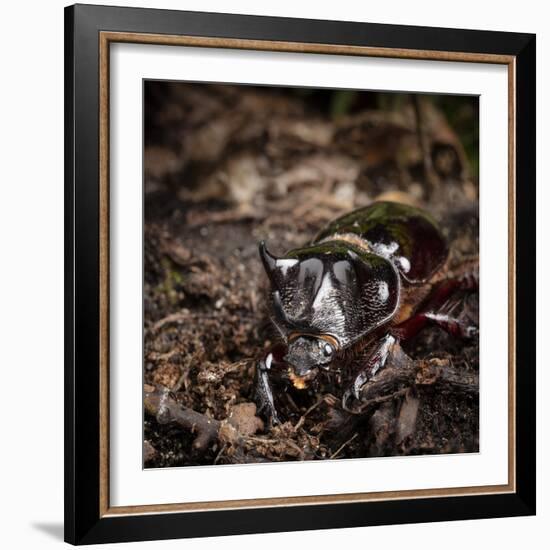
(226, 167)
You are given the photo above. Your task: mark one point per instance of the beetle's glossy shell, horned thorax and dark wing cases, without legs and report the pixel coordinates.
(348, 281)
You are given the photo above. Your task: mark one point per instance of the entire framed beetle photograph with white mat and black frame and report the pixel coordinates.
(300, 274)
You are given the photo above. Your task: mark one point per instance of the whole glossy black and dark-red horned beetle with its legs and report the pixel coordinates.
(368, 280)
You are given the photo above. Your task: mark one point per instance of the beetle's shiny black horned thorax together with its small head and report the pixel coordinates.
(329, 290)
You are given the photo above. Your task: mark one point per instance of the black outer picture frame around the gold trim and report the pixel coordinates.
(84, 523)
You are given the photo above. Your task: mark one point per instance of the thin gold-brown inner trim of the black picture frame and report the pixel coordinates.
(105, 39)
